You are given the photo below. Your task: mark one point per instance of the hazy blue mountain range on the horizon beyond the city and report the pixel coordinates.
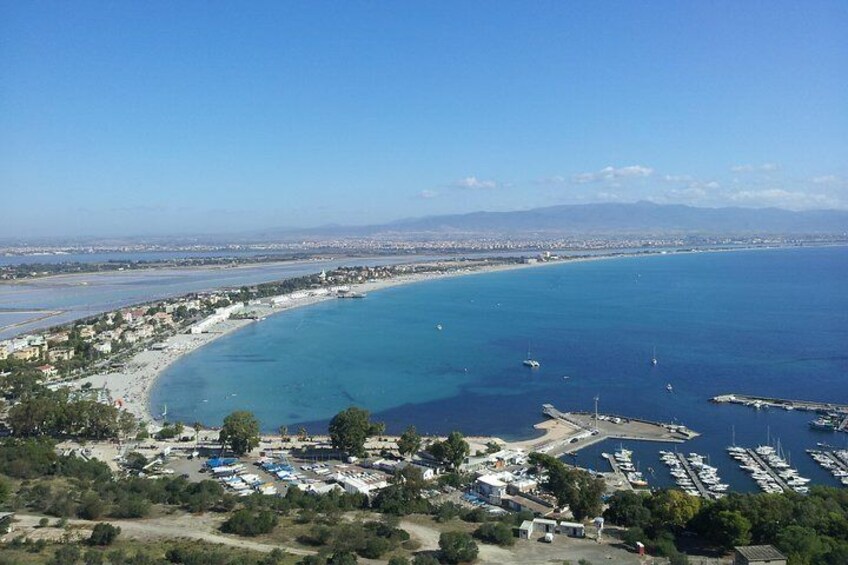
(635, 218)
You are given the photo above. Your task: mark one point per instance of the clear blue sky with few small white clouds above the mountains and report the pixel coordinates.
(120, 118)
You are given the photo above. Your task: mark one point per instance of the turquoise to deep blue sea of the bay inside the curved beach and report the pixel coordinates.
(761, 322)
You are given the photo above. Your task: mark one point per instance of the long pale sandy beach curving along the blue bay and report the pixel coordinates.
(133, 385)
